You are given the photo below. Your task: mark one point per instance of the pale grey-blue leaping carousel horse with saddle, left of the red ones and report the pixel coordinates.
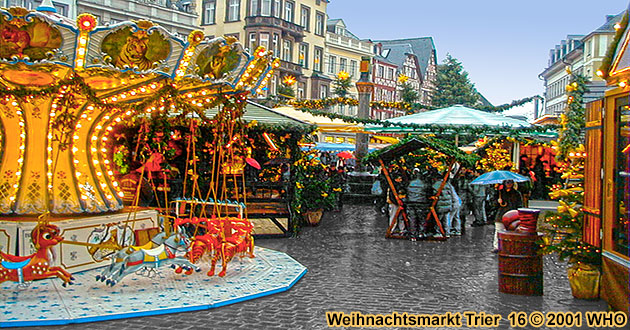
(163, 254)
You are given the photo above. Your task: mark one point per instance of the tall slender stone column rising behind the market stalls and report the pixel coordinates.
(365, 88)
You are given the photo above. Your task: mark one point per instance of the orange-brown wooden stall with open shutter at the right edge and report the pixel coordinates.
(608, 173)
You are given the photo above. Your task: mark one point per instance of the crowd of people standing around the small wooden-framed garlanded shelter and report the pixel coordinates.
(458, 201)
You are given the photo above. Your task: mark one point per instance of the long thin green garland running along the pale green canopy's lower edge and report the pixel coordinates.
(438, 129)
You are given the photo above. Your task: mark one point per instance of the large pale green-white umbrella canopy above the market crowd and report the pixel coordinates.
(457, 115)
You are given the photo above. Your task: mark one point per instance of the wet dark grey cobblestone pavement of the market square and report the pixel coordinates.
(352, 267)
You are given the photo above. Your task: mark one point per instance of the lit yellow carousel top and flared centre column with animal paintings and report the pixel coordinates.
(65, 84)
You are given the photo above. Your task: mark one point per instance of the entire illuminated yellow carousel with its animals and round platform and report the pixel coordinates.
(66, 237)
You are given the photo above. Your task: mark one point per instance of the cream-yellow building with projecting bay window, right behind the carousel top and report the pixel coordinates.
(295, 30)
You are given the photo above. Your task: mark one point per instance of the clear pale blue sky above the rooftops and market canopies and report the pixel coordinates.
(503, 44)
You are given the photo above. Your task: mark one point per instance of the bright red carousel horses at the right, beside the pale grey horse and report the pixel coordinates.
(224, 239)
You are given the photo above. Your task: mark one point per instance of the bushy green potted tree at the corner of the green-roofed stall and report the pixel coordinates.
(314, 192)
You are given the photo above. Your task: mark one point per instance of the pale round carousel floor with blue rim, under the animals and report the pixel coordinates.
(47, 302)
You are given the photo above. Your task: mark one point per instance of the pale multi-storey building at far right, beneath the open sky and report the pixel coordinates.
(582, 54)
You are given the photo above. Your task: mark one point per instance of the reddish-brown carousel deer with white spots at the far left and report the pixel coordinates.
(36, 266)
